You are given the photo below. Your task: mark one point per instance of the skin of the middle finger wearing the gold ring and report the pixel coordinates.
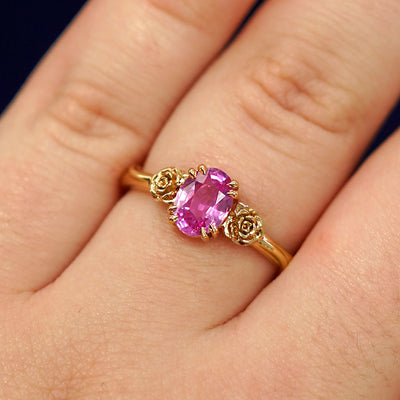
(286, 111)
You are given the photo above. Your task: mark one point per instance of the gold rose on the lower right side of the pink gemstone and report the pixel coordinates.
(244, 226)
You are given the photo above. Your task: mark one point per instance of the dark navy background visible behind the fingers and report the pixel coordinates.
(28, 28)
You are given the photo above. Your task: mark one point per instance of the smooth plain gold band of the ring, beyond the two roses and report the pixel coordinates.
(135, 178)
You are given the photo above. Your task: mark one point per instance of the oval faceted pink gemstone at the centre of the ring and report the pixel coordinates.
(203, 201)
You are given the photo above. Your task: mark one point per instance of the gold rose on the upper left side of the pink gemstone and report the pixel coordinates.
(166, 183)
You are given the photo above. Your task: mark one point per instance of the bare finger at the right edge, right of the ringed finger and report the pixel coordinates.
(338, 303)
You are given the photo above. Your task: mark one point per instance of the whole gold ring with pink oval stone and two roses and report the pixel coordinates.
(204, 201)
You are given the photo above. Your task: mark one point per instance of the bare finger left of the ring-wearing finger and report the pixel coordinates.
(94, 106)
